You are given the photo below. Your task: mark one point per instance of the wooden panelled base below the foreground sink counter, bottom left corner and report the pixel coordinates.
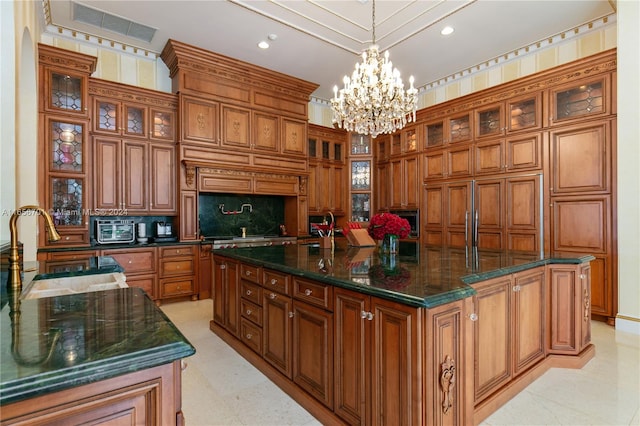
(150, 396)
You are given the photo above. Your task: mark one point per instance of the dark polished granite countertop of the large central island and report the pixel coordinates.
(420, 276)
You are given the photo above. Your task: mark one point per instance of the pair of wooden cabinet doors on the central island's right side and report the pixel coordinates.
(511, 312)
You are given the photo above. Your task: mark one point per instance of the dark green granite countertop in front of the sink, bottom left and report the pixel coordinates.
(93, 336)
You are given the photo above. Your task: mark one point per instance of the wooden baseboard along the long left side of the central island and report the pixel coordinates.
(308, 402)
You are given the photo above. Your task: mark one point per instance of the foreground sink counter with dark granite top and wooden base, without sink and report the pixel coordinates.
(101, 356)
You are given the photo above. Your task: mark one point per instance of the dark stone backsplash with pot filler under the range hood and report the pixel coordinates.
(261, 215)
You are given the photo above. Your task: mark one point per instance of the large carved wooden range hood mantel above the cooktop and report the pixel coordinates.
(242, 130)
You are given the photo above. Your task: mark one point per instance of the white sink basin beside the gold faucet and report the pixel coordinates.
(73, 285)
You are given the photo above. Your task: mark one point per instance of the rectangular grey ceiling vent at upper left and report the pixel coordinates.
(98, 18)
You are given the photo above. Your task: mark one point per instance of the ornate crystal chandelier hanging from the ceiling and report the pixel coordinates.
(373, 101)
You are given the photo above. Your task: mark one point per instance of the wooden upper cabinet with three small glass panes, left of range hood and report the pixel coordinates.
(134, 169)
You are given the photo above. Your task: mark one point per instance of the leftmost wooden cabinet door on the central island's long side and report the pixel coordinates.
(226, 297)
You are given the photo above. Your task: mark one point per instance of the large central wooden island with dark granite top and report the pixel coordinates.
(435, 336)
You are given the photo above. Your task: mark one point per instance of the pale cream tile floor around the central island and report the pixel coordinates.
(221, 388)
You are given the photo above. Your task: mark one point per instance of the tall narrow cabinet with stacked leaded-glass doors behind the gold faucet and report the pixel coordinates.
(63, 181)
